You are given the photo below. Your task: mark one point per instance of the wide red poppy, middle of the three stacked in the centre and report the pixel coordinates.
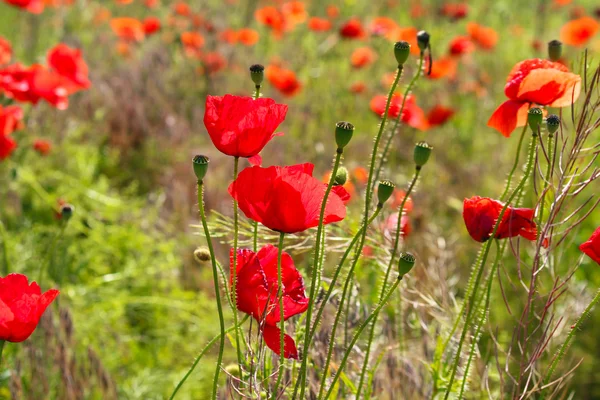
(285, 199)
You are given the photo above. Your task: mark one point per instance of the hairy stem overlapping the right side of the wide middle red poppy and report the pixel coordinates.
(315, 281)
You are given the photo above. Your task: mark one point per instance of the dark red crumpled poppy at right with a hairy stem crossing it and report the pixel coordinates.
(481, 213)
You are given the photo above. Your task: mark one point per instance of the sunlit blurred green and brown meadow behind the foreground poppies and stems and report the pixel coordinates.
(136, 307)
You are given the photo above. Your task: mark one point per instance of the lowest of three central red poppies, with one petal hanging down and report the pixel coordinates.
(257, 289)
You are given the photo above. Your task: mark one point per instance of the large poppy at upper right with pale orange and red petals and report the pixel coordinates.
(536, 81)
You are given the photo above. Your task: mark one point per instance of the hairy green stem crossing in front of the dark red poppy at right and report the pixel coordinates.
(471, 299)
